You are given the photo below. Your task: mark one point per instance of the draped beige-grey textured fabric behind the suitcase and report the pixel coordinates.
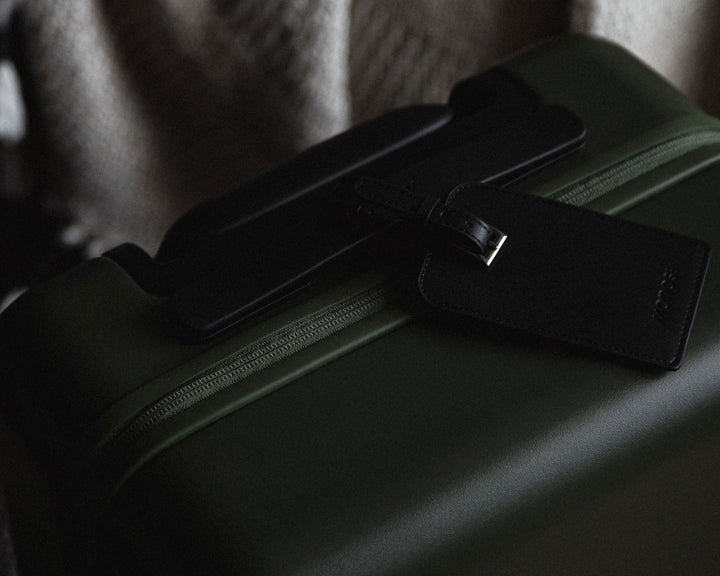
(142, 108)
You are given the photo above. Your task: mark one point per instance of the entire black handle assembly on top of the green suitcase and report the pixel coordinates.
(259, 245)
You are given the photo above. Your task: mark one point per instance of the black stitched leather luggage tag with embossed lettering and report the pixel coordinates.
(573, 275)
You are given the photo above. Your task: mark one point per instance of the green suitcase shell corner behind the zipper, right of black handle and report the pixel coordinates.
(626, 107)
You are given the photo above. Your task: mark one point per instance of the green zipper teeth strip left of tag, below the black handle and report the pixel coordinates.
(259, 355)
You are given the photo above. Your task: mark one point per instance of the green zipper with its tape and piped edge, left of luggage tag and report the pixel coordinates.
(247, 375)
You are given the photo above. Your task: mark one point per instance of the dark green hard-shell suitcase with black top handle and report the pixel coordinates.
(327, 421)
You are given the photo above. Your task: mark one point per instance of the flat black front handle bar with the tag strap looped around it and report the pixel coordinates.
(272, 261)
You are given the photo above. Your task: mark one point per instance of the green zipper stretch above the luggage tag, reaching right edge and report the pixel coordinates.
(595, 186)
